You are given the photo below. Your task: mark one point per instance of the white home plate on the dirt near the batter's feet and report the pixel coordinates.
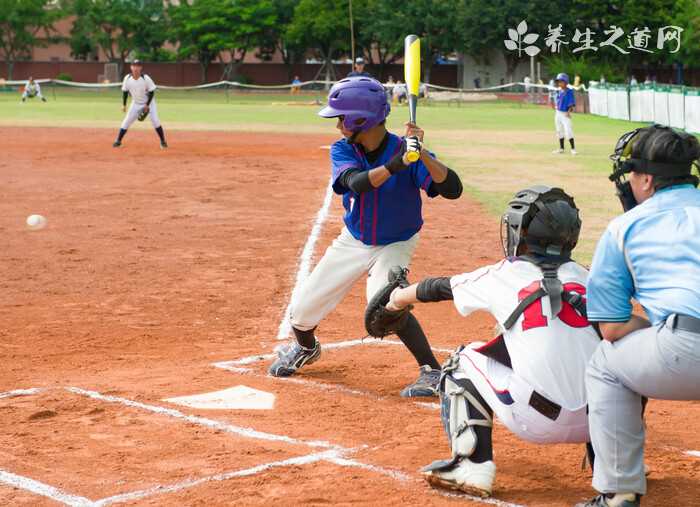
(233, 398)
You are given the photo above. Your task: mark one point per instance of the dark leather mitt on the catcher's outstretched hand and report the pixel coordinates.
(380, 322)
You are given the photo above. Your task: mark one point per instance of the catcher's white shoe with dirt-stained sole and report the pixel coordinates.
(466, 476)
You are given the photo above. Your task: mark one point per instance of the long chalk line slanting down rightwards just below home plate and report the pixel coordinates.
(203, 421)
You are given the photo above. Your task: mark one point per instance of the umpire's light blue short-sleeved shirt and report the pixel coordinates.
(651, 254)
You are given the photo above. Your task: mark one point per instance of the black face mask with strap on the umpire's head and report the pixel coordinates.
(624, 163)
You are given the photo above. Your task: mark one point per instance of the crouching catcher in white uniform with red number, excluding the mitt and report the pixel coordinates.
(531, 375)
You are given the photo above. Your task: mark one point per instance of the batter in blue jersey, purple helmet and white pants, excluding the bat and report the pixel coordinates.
(382, 199)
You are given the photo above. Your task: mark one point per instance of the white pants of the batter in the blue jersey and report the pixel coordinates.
(344, 262)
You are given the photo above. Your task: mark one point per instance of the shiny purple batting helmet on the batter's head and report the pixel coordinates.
(360, 100)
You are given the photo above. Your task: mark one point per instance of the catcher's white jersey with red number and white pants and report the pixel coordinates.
(548, 356)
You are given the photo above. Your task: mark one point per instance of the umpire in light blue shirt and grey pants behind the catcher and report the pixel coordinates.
(651, 254)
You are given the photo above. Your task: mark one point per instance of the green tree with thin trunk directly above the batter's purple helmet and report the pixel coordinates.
(322, 26)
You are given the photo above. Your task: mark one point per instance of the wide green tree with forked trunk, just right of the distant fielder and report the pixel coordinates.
(211, 29)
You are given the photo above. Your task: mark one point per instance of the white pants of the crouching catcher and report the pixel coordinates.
(508, 395)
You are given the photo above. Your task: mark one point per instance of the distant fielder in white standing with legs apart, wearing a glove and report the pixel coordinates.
(142, 90)
